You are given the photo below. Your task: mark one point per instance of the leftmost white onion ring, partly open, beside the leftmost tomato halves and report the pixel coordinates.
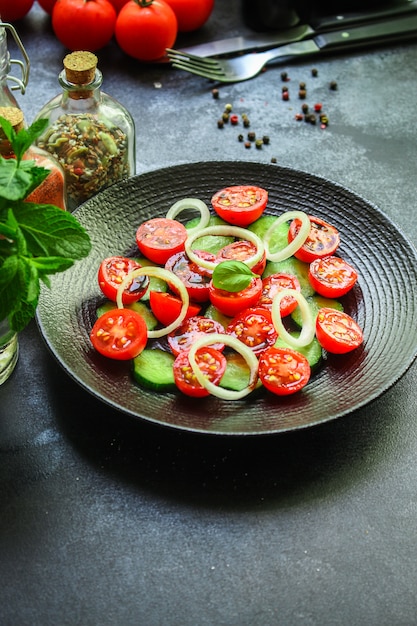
(170, 278)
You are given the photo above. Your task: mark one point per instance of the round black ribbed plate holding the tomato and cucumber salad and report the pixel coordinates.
(382, 302)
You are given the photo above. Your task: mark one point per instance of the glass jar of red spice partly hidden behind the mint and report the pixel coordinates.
(52, 189)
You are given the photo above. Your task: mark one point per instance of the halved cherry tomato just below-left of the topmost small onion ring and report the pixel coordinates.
(160, 238)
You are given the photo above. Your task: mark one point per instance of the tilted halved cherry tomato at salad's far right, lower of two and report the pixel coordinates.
(337, 332)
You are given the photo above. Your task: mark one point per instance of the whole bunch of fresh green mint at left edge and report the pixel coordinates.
(36, 240)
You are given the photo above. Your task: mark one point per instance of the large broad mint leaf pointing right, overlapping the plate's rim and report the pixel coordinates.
(50, 231)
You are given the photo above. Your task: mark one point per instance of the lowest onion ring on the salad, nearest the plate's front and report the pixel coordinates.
(239, 346)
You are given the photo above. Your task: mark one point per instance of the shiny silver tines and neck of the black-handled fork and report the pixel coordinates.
(236, 69)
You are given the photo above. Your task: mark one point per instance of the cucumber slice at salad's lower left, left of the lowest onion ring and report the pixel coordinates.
(153, 369)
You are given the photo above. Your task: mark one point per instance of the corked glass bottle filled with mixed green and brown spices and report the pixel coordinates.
(90, 133)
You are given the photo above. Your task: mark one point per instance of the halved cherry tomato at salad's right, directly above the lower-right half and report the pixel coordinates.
(331, 276)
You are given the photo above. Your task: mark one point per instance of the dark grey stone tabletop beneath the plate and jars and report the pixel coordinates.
(108, 521)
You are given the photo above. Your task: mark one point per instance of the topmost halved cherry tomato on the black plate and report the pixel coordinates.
(240, 205)
